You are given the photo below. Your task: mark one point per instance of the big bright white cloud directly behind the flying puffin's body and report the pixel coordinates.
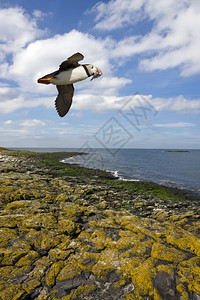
(41, 57)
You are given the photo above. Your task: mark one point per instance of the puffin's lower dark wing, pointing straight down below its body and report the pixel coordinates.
(64, 100)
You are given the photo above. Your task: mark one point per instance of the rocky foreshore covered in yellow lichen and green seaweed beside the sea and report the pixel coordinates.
(68, 232)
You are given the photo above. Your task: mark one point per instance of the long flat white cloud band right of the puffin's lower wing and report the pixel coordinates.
(105, 103)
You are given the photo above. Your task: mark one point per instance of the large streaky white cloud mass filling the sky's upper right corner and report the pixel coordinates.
(171, 39)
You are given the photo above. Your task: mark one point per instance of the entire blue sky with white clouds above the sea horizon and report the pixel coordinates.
(148, 96)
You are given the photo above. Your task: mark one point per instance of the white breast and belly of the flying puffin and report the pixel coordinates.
(70, 76)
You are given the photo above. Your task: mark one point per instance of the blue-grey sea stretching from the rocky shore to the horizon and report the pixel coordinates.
(174, 168)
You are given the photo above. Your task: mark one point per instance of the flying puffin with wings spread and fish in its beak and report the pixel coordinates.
(70, 71)
